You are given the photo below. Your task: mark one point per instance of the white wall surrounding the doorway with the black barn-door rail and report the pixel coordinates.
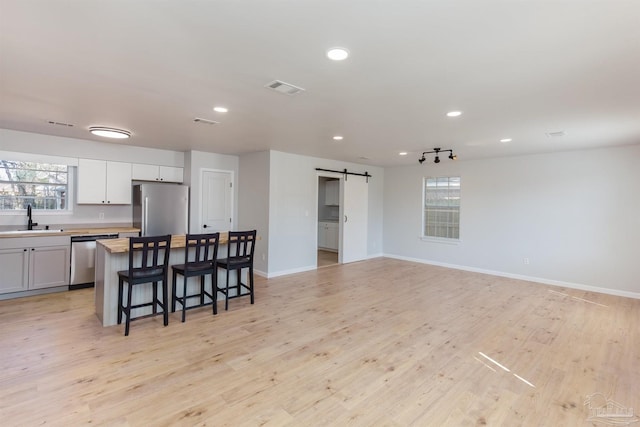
(293, 228)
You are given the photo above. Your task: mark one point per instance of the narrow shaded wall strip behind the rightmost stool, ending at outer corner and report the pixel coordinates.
(253, 203)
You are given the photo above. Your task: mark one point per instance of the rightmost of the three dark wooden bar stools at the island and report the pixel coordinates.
(239, 256)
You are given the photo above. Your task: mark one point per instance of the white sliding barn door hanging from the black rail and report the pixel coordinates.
(355, 197)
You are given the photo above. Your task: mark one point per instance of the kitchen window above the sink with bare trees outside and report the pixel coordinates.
(41, 185)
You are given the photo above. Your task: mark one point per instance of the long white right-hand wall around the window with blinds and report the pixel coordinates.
(574, 215)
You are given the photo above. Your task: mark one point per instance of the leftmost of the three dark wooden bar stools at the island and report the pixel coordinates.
(148, 263)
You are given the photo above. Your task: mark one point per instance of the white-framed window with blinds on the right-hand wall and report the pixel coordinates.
(441, 208)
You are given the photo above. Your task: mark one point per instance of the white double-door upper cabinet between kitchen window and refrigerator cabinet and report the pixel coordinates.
(104, 182)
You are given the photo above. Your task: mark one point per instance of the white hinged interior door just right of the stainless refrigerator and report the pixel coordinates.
(217, 201)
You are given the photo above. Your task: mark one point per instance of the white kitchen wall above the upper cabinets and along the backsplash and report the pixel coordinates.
(25, 142)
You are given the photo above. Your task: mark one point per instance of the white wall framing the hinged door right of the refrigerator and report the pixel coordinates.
(197, 161)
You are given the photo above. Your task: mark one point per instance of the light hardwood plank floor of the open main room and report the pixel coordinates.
(376, 343)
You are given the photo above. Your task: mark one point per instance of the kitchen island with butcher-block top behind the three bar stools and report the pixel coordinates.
(113, 256)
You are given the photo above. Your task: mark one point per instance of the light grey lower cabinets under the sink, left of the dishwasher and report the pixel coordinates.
(31, 263)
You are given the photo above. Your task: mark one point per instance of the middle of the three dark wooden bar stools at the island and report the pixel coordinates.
(200, 255)
